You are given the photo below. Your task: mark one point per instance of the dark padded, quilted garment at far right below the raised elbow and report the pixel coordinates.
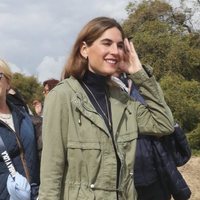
(167, 156)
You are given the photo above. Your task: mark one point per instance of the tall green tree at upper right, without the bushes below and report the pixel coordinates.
(162, 39)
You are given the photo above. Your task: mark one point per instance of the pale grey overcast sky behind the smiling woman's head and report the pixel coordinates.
(37, 35)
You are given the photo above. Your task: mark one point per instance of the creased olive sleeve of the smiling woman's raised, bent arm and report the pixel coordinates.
(155, 117)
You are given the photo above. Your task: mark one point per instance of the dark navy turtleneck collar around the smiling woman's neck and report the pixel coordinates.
(95, 81)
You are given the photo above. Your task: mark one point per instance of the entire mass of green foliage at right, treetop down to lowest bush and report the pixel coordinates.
(165, 38)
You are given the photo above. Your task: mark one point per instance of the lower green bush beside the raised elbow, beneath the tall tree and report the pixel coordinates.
(183, 98)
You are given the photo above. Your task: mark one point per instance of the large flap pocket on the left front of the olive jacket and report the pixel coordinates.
(84, 160)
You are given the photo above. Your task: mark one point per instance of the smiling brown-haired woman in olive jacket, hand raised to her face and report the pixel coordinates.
(91, 126)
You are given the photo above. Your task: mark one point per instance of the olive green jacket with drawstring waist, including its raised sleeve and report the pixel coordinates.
(78, 158)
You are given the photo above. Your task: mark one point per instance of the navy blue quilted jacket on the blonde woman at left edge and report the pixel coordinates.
(23, 126)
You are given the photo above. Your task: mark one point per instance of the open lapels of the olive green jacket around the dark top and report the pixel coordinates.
(81, 101)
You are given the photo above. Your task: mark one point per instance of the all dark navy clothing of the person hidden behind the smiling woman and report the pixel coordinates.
(158, 158)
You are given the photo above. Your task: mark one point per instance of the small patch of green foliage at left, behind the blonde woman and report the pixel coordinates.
(28, 86)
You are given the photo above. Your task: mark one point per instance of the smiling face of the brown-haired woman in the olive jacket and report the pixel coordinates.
(105, 53)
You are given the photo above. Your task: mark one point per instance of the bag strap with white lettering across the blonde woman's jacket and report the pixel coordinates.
(6, 159)
